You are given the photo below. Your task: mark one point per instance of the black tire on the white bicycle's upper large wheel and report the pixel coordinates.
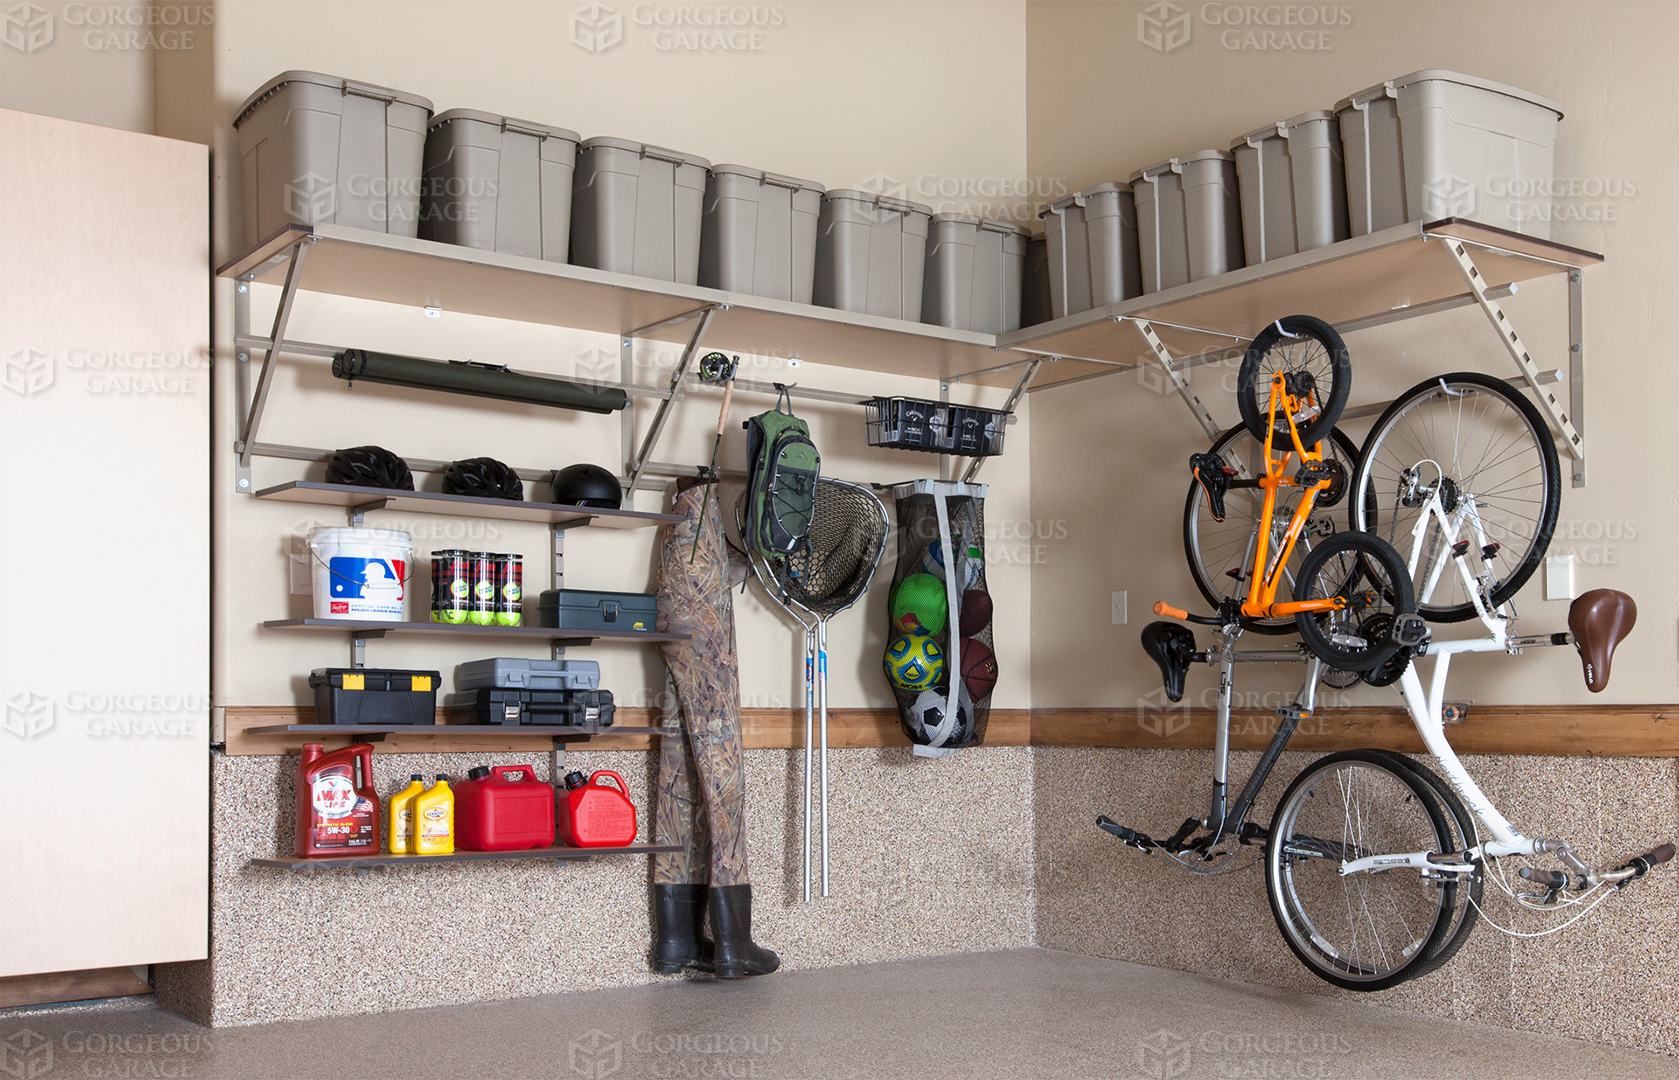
(1517, 569)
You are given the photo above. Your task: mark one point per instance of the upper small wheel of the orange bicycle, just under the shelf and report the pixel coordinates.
(1314, 359)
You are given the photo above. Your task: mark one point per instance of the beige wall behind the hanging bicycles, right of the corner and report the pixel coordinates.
(1114, 464)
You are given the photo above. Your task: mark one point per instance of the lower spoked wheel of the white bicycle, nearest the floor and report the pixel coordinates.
(1363, 931)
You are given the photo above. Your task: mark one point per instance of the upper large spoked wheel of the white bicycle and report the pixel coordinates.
(1475, 438)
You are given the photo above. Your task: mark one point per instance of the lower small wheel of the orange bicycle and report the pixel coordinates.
(1369, 575)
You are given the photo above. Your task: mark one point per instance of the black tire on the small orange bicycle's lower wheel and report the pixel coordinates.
(1371, 555)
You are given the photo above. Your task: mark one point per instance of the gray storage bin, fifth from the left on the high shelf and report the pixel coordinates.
(871, 254)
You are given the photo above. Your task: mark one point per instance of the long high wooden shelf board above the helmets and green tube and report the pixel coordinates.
(429, 275)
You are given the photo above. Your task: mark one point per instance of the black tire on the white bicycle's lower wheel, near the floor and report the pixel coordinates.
(1310, 943)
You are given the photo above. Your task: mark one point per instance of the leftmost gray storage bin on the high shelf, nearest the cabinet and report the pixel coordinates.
(322, 150)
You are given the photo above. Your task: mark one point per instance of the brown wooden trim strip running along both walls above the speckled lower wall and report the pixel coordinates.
(1567, 731)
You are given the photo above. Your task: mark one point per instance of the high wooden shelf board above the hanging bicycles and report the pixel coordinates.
(1354, 280)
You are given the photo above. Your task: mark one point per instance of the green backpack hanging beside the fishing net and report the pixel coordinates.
(782, 486)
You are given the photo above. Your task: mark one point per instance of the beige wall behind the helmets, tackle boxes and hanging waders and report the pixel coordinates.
(840, 93)
